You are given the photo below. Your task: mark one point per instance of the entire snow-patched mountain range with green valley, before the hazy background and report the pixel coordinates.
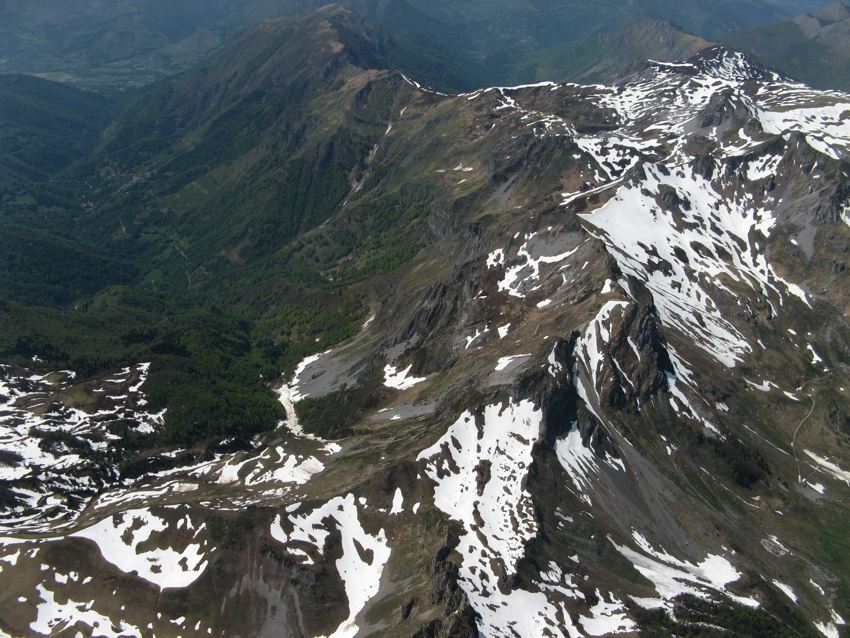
(292, 344)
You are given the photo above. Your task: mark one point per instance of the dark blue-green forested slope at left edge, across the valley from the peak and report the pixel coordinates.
(46, 127)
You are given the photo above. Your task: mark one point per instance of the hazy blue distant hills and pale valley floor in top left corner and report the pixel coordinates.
(113, 41)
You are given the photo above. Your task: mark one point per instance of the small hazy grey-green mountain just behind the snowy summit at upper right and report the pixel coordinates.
(607, 54)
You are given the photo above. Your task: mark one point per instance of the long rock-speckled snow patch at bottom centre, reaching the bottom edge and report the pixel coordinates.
(499, 520)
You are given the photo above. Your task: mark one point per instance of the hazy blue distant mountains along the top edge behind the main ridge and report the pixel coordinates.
(453, 44)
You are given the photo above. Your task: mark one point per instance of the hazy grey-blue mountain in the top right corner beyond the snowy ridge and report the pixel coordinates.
(813, 47)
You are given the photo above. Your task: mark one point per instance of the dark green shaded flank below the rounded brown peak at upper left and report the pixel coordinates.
(230, 161)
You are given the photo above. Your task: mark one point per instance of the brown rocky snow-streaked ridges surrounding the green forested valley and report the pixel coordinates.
(605, 394)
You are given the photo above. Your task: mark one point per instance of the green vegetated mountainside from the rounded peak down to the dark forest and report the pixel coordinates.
(224, 186)
